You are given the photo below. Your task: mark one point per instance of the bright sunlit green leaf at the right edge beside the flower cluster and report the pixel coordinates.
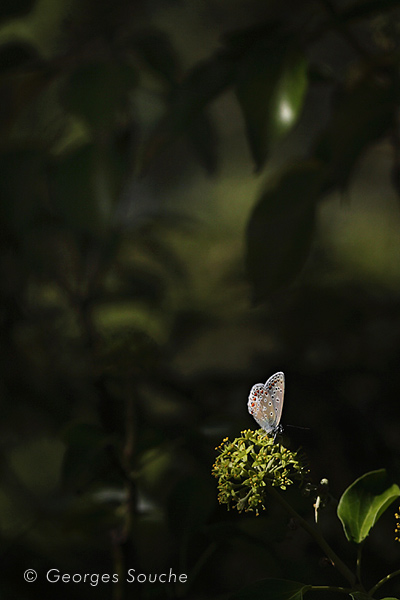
(363, 503)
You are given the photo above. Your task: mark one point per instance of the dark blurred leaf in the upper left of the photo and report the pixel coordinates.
(96, 91)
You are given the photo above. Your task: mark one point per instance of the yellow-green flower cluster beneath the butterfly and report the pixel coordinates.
(247, 465)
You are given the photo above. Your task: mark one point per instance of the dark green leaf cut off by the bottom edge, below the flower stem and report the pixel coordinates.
(272, 589)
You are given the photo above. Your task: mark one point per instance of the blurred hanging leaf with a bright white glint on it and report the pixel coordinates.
(271, 85)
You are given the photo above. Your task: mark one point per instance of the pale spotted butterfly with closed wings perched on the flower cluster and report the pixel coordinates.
(266, 402)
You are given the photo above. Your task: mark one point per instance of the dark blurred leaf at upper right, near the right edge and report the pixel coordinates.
(362, 116)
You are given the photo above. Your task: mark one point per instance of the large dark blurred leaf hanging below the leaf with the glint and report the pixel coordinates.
(281, 229)
